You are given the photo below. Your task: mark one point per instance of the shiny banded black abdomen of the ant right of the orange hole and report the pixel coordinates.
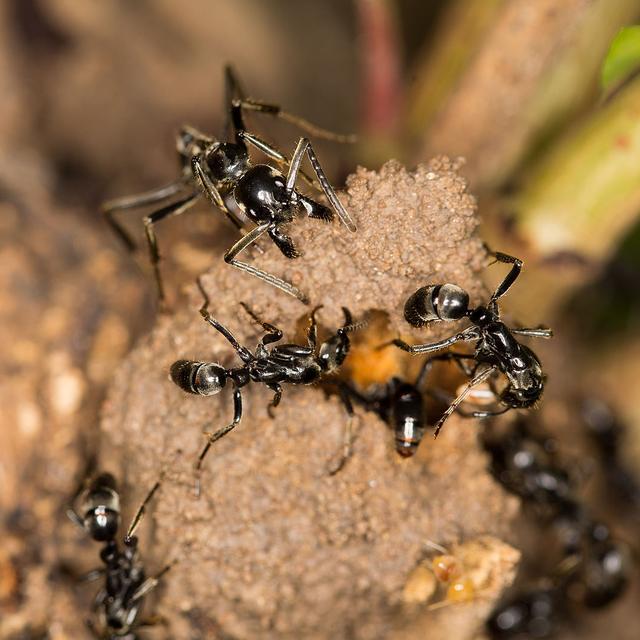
(436, 302)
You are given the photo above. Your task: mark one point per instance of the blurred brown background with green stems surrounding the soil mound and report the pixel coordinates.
(92, 96)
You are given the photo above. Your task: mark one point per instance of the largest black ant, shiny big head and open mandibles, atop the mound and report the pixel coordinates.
(245, 192)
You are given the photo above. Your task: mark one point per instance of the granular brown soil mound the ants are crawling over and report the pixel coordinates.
(276, 547)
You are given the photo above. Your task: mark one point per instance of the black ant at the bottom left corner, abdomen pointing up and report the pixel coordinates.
(125, 585)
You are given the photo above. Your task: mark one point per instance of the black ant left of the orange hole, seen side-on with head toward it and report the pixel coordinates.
(284, 363)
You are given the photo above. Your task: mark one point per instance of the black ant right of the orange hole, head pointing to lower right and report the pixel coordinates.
(496, 345)
